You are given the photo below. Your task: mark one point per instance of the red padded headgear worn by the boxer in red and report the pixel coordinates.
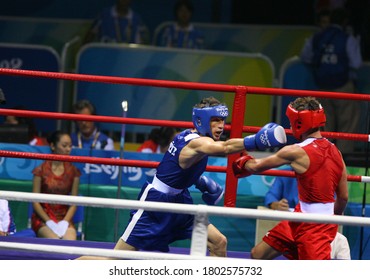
(303, 121)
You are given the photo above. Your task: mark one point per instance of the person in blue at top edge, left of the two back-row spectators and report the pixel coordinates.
(119, 24)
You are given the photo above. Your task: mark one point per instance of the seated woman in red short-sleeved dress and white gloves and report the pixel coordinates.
(56, 177)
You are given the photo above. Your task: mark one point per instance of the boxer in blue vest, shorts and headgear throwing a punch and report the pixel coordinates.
(181, 167)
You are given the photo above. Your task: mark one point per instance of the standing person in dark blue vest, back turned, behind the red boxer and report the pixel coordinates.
(335, 56)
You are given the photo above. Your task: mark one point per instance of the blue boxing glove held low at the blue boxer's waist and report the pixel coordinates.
(212, 192)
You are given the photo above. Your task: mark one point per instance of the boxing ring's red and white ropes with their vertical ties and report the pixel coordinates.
(201, 212)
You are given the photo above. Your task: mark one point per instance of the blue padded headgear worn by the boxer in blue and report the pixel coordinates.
(202, 117)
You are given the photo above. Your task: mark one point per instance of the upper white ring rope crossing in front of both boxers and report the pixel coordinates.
(185, 208)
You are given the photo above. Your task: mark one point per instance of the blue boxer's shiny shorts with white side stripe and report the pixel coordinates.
(154, 231)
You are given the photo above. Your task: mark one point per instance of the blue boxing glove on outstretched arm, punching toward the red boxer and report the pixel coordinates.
(269, 136)
